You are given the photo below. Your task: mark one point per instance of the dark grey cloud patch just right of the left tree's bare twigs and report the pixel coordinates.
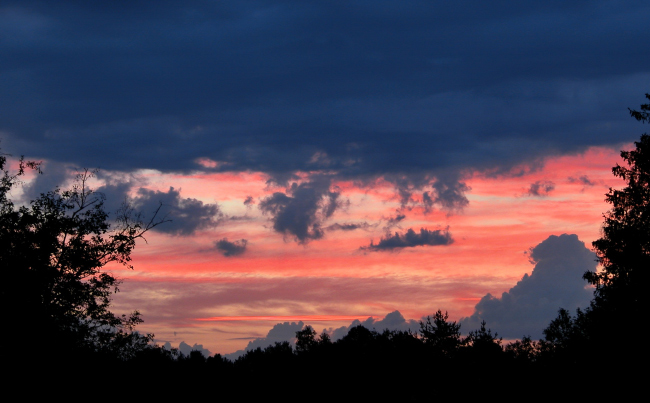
(187, 215)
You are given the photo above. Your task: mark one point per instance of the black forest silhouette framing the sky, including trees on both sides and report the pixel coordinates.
(56, 294)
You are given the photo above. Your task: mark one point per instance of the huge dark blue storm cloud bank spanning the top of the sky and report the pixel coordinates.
(411, 89)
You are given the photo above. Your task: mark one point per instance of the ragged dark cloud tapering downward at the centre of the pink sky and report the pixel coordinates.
(300, 212)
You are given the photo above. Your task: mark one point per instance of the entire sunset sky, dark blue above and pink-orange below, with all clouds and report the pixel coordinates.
(326, 162)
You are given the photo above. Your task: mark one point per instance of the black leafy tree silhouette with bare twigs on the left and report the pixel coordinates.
(53, 253)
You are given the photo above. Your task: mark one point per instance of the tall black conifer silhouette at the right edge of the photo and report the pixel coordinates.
(620, 287)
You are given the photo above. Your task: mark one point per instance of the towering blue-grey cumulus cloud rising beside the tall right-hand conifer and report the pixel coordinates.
(556, 282)
